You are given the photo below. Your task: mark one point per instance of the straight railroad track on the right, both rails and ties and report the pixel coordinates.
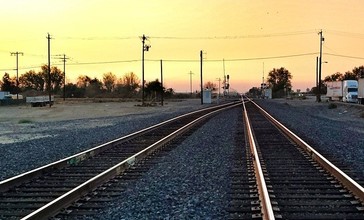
(293, 180)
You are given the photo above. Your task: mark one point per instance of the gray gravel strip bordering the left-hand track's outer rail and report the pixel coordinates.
(57, 140)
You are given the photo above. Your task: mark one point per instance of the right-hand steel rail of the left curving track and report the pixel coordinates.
(68, 198)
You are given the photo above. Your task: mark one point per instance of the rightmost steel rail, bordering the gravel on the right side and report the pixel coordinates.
(347, 181)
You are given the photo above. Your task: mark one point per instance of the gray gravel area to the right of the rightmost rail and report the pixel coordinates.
(336, 133)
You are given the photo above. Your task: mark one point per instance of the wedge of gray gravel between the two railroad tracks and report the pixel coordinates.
(191, 183)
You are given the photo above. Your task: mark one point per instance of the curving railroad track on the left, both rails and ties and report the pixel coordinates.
(44, 192)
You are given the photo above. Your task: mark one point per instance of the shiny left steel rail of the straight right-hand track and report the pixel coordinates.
(267, 209)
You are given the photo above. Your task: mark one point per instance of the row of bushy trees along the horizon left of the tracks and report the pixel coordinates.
(36, 83)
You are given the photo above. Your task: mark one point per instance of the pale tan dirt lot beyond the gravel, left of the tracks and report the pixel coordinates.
(80, 109)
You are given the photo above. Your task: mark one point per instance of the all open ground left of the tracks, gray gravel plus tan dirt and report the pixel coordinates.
(50, 134)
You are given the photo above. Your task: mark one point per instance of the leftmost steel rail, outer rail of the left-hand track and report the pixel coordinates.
(77, 158)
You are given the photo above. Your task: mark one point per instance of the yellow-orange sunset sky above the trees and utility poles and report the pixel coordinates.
(102, 36)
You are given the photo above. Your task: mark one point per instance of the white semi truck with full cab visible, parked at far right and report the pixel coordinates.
(346, 91)
